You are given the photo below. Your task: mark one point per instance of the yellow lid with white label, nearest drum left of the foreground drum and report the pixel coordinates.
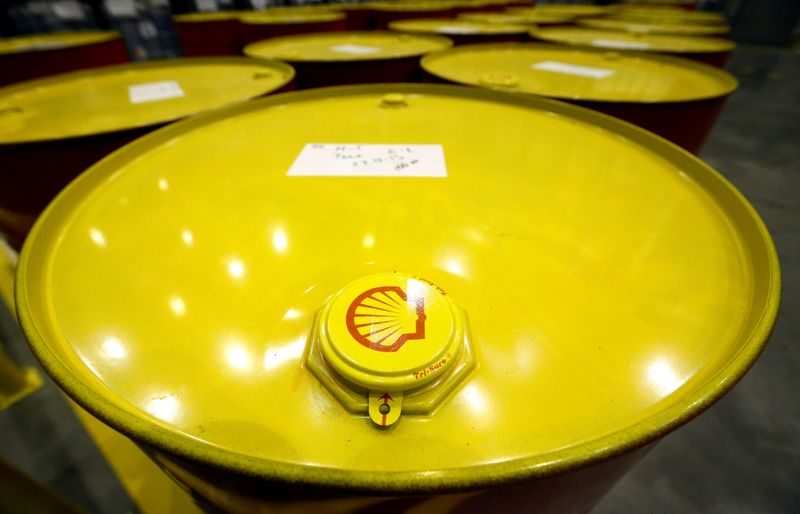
(132, 95)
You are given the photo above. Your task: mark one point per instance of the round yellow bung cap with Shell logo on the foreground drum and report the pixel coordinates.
(390, 332)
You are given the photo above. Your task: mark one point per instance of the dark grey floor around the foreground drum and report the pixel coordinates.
(741, 456)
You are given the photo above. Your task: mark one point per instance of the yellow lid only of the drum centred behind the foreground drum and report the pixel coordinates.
(346, 46)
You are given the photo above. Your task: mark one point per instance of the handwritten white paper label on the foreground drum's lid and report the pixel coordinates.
(367, 160)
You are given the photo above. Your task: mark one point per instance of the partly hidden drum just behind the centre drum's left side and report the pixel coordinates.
(268, 24)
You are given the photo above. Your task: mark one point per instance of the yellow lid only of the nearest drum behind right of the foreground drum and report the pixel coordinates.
(580, 74)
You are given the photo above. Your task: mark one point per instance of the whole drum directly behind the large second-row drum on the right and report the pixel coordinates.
(709, 50)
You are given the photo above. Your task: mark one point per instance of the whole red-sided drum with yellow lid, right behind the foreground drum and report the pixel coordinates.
(676, 98)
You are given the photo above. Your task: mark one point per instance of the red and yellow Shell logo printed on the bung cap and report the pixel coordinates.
(383, 319)
